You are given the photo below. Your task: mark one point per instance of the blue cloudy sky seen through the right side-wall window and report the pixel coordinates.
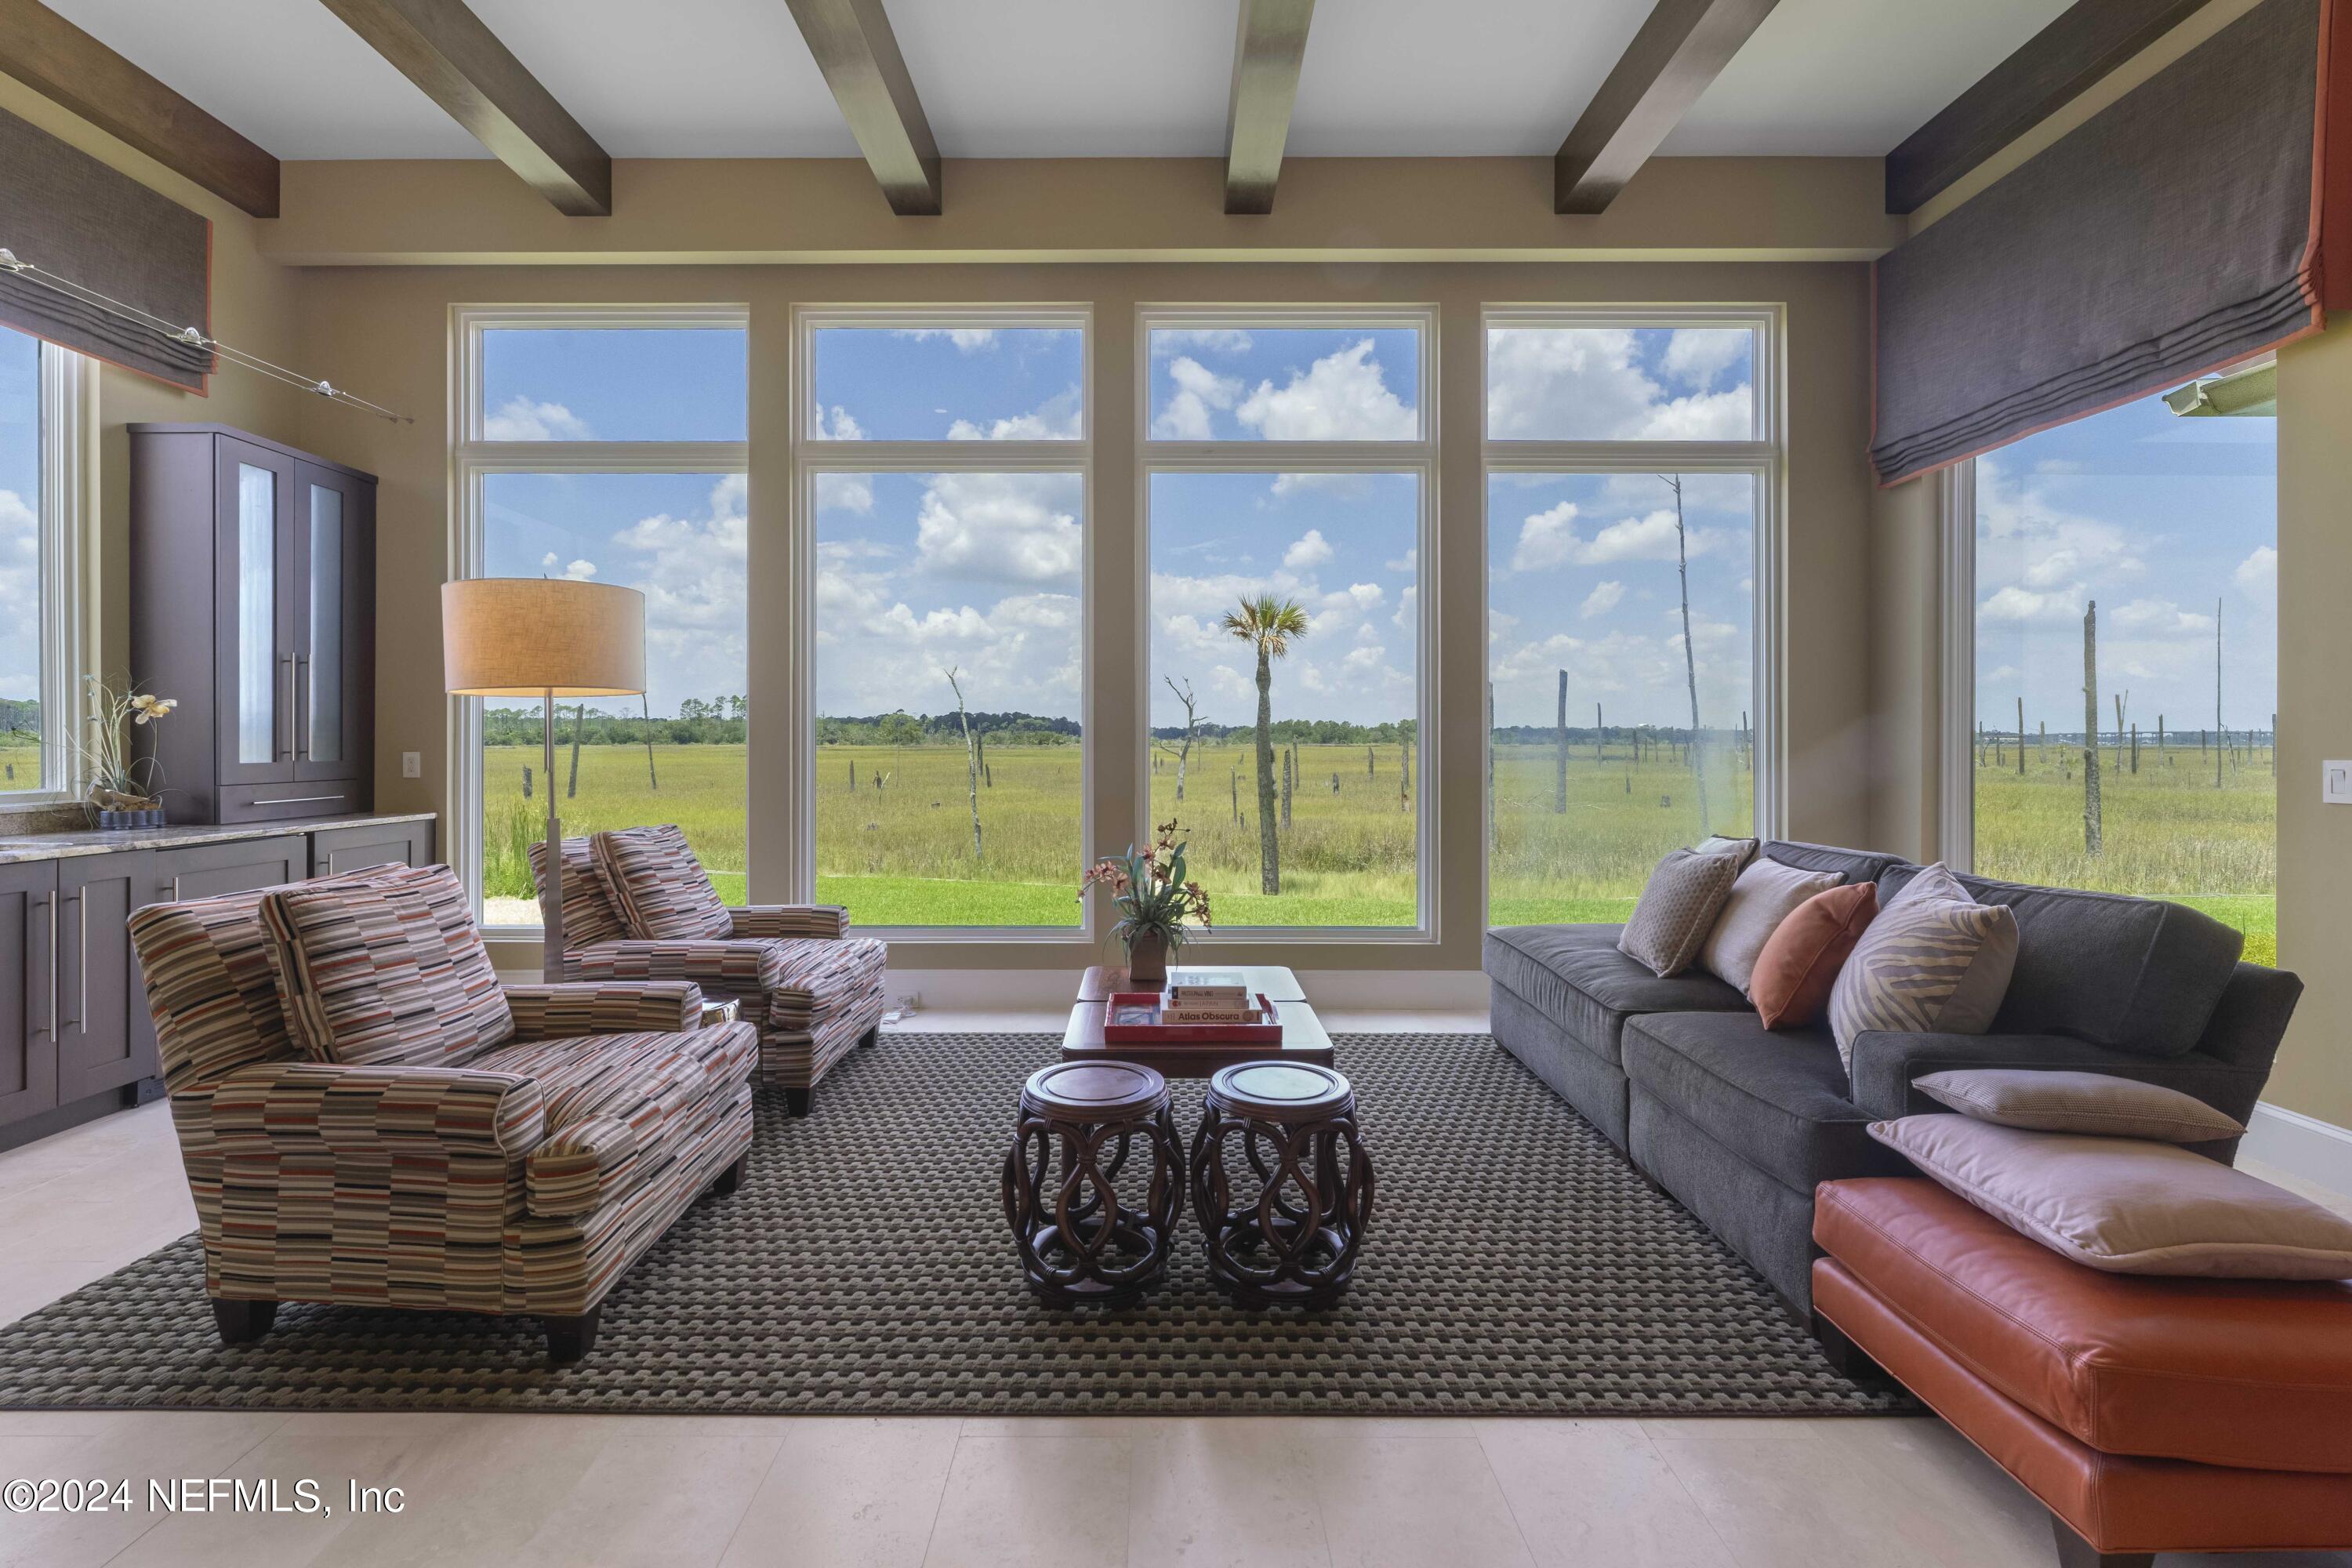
(2156, 518)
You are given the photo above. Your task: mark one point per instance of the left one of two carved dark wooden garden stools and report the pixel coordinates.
(1078, 1238)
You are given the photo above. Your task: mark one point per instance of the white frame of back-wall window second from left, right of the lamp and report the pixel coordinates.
(815, 455)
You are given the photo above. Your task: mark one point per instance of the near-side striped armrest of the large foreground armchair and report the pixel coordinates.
(272, 1106)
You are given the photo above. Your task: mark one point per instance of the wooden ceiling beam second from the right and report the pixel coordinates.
(1676, 55)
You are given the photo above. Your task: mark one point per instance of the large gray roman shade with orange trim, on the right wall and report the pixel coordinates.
(2172, 234)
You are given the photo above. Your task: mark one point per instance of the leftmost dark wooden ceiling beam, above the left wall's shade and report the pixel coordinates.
(76, 72)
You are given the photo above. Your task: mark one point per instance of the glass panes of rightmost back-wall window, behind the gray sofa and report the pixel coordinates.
(1631, 500)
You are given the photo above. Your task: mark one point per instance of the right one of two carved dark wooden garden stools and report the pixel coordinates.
(1292, 1240)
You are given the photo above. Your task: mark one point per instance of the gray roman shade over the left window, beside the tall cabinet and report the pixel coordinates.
(72, 215)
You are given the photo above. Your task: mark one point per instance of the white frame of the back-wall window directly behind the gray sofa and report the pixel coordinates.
(1765, 460)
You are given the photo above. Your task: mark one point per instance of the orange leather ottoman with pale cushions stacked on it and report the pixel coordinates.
(2146, 1414)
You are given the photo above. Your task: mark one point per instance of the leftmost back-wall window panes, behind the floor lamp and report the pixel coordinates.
(610, 448)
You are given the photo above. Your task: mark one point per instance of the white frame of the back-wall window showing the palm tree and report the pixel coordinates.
(1415, 457)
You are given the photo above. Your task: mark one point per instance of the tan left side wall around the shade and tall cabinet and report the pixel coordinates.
(253, 307)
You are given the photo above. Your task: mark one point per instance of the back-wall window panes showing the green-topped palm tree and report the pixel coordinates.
(1288, 497)
